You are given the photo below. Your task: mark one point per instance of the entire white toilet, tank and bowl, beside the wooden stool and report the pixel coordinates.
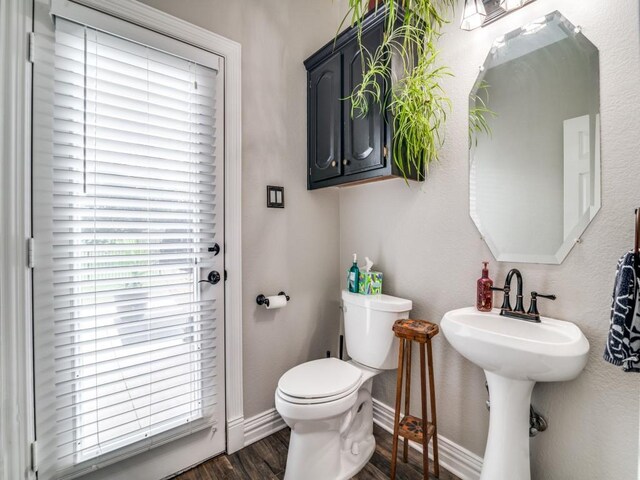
(327, 402)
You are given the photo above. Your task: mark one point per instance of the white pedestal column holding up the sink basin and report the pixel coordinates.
(507, 454)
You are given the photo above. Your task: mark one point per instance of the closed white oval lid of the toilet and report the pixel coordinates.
(327, 377)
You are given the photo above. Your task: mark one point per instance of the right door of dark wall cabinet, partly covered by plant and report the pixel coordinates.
(363, 136)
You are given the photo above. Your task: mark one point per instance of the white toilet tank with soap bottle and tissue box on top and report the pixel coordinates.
(368, 323)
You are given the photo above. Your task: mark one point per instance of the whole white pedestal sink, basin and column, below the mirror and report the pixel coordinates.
(514, 354)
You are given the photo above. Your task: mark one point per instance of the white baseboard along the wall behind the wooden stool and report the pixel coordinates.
(456, 459)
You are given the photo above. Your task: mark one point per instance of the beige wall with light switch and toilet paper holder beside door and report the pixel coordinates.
(295, 249)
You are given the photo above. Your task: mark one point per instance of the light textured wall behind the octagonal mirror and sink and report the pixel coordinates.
(430, 251)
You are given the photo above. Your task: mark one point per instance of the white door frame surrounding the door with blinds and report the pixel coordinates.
(16, 360)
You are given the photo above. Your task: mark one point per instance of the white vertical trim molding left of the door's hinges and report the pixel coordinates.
(16, 373)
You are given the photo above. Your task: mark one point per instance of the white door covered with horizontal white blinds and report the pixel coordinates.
(128, 231)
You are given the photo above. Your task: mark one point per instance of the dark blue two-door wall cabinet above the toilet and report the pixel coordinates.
(345, 148)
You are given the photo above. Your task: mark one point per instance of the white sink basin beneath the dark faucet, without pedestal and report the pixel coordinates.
(549, 351)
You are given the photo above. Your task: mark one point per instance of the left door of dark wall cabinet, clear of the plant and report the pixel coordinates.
(325, 119)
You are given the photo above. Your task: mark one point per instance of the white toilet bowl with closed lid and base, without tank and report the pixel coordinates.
(331, 433)
